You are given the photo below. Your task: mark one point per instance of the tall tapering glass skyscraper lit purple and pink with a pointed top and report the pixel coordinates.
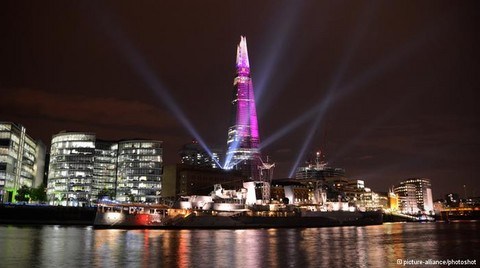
(243, 140)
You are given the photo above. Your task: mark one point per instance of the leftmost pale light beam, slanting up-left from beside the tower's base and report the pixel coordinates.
(141, 67)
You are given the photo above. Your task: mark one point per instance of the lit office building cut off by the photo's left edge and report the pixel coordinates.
(22, 160)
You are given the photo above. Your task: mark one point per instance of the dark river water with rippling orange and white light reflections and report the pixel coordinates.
(370, 246)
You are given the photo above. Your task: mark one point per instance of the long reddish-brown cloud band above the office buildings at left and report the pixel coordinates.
(86, 110)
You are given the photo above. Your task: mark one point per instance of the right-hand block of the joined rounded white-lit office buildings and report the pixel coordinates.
(139, 171)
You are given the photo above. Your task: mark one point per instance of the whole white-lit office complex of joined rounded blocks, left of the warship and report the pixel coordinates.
(81, 167)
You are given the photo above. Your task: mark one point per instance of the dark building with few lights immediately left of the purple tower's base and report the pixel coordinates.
(193, 154)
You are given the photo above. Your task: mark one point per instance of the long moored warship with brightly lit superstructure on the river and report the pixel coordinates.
(230, 209)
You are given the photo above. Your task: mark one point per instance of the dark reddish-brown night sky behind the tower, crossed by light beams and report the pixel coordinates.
(390, 89)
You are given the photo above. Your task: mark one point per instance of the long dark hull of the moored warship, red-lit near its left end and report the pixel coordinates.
(241, 220)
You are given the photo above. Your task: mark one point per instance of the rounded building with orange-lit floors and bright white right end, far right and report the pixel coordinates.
(415, 195)
